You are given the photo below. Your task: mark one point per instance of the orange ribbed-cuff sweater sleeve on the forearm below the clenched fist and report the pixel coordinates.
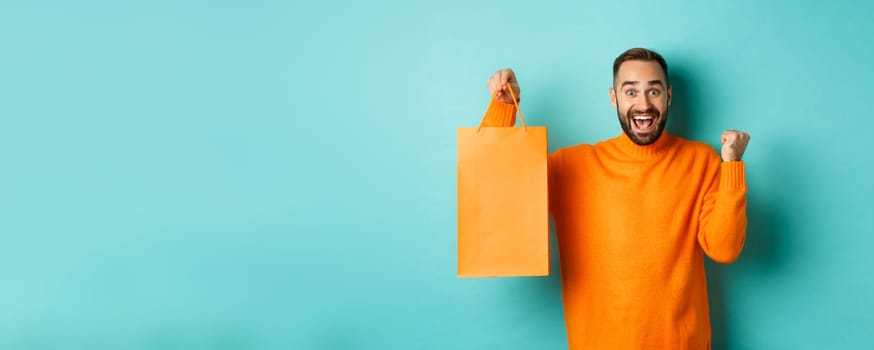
(723, 215)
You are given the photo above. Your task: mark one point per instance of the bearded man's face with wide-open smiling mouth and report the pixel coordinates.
(641, 96)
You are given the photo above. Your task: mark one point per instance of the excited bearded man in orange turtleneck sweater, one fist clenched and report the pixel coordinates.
(634, 214)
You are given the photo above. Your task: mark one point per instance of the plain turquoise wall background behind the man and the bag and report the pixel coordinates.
(281, 175)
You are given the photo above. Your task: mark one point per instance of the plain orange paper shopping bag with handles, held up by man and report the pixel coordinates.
(503, 219)
